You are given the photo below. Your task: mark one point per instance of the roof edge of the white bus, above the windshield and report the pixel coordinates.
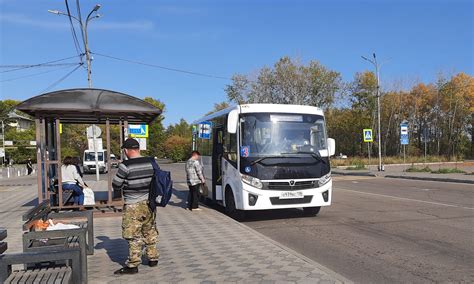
(264, 108)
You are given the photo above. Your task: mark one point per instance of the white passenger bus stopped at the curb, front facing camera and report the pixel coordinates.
(266, 156)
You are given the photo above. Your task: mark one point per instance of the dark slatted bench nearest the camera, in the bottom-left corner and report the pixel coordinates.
(70, 272)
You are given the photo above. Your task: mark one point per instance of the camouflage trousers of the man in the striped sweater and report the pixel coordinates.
(139, 228)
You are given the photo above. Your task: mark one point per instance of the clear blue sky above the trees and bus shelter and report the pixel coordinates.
(420, 38)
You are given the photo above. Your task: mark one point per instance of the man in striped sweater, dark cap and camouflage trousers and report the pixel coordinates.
(134, 178)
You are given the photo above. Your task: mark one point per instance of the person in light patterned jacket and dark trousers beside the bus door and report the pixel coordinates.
(194, 178)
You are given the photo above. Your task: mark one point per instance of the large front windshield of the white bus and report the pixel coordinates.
(266, 134)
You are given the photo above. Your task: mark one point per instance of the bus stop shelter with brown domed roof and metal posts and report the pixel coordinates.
(79, 106)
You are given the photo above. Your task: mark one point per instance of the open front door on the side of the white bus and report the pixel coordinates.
(217, 152)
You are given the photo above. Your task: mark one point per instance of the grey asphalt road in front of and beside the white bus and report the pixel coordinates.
(381, 230)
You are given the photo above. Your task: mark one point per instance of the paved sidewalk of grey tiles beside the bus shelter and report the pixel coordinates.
(196, 247)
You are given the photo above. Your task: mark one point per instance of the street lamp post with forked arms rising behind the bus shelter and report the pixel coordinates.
(89, 66)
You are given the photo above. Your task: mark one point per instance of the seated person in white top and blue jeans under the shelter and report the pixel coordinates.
(71, 180)
